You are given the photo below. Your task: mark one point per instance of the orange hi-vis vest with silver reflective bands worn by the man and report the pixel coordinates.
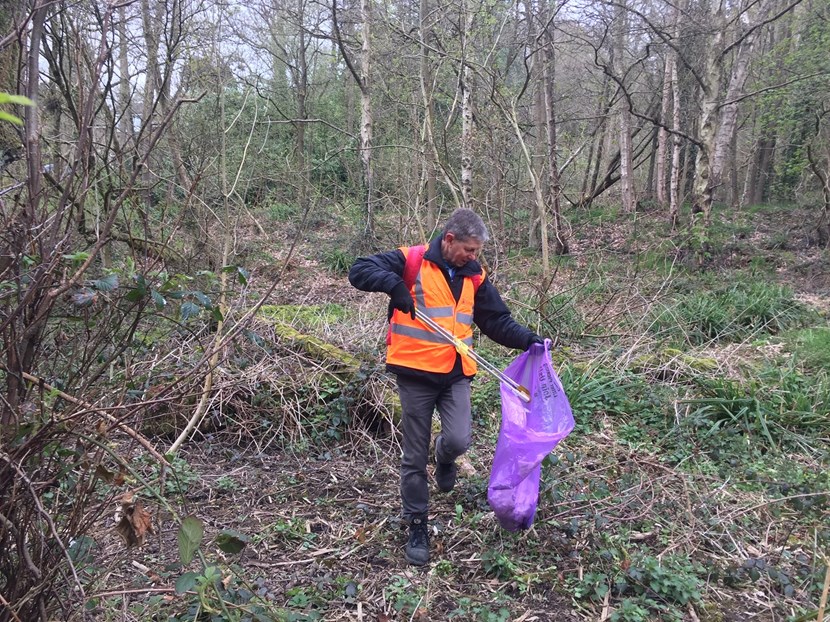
(413, 344)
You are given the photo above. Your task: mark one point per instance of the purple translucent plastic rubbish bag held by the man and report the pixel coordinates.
(529, 432)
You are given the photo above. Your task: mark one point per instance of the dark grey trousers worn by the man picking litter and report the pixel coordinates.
(418, 402)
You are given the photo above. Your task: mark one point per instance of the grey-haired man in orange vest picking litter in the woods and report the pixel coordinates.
(450, 287)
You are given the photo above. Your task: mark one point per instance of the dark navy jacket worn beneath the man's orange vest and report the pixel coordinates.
(382, 272)
